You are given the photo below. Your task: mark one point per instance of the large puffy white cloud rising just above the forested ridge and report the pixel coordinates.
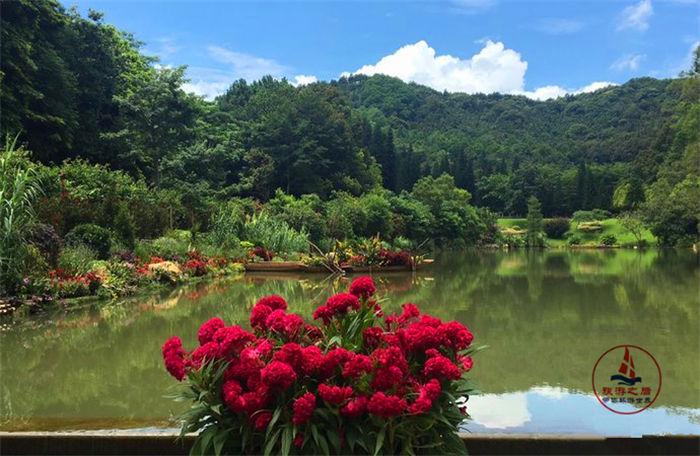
(493, 69)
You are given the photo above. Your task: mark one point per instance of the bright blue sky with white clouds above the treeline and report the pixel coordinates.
(541, 49)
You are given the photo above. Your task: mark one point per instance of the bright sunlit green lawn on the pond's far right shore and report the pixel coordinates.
(609, 227)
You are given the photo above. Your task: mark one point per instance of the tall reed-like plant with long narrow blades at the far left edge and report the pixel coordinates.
(19, 189)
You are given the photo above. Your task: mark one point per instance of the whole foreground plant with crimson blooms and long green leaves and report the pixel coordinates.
(357, 382)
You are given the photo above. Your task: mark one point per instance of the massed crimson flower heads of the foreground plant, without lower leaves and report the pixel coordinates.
(399, 366)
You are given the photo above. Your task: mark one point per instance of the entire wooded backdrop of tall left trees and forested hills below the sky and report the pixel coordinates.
(75, 87)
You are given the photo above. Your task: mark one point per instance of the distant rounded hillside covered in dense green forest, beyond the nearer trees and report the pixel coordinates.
(571, 152)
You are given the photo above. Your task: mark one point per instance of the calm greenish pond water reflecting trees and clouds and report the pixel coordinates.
(546, 318)
